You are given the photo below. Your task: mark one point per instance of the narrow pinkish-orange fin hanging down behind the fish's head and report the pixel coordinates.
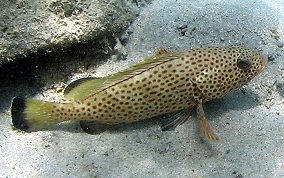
(204, 125)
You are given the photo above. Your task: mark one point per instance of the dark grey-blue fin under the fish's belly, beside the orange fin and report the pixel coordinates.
(172, 120)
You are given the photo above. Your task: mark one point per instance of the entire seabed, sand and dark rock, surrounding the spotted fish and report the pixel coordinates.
(249, 122)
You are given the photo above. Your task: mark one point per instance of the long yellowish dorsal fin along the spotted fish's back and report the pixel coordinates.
(87, 87)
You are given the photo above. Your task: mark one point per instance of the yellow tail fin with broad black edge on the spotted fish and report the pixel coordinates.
(32, 115)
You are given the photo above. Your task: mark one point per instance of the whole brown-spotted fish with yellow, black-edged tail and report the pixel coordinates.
(169, 85)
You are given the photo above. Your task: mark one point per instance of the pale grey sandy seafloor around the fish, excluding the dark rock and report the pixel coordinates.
(249, 122)
